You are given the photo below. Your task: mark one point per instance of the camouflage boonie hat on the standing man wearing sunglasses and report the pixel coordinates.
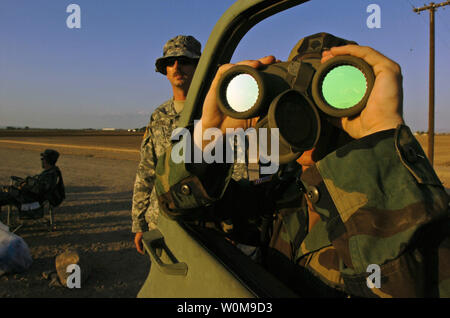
(181, 45)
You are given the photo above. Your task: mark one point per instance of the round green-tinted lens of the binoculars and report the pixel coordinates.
(344, 86)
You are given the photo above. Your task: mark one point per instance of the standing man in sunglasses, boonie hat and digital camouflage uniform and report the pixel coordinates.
(178, 63)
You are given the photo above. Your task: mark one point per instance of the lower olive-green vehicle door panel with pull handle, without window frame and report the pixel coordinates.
(189, 261)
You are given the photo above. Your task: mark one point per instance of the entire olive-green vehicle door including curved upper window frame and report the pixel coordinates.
(191, 261)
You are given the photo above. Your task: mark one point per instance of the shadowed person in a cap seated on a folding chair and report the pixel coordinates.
(48, 185)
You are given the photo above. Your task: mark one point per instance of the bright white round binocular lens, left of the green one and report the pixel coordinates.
(242, 92)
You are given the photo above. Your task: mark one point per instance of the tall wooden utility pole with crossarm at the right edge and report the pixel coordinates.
(432, 7)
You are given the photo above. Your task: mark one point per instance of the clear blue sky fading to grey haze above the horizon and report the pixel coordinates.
(103, 74)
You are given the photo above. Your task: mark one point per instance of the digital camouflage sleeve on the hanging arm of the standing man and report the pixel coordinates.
(143, 185)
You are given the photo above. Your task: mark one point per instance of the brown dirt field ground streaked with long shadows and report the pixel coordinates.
(95, 217)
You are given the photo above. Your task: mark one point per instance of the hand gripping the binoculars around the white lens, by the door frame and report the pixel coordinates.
(212, 117)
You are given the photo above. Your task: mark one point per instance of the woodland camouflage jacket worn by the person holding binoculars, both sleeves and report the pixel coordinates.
(380, 203)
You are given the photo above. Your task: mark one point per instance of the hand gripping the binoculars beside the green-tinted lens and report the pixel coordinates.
(384, 106)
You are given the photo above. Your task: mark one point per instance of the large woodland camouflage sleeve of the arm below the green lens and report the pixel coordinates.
(383, 204)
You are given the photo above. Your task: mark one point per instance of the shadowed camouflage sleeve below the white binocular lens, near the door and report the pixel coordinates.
(201, 191)
